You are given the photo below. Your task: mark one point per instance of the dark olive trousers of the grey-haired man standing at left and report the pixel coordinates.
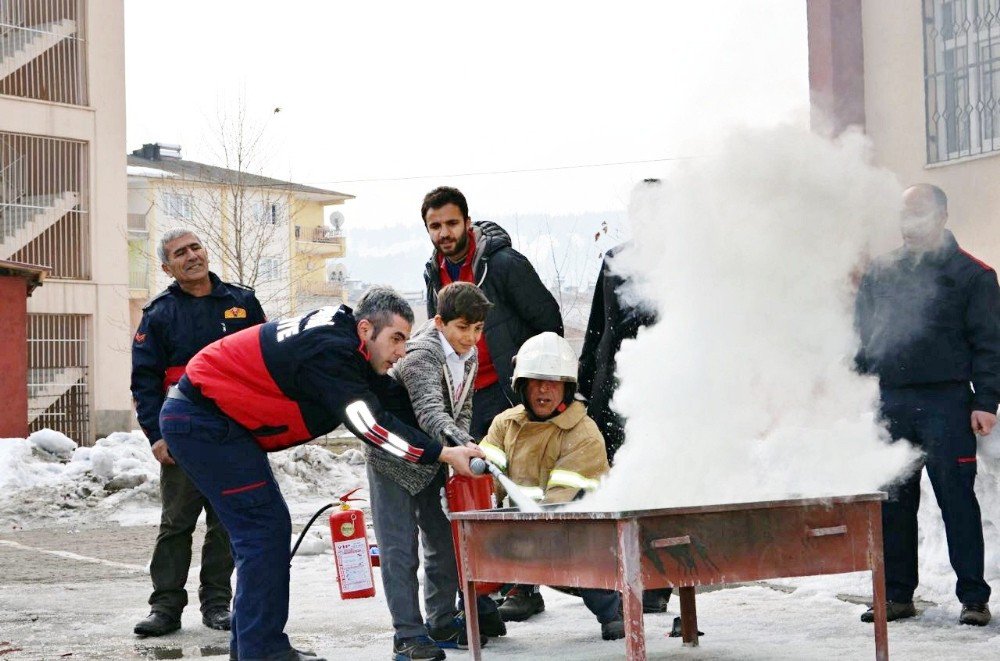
(182, 505)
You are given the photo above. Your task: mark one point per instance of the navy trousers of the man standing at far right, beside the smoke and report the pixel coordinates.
(937, 420)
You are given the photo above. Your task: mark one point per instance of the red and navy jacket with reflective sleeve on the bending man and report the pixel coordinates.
(291, 380)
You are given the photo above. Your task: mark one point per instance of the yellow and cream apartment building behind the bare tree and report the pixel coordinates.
(266, 233)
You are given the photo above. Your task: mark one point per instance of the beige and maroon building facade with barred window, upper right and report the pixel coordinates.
(923, 80)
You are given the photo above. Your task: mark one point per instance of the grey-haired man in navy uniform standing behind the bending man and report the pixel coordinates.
(195, 310)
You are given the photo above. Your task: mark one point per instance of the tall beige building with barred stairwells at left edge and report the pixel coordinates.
(62, 205)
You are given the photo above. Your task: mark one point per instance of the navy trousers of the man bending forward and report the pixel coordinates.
(229, 468)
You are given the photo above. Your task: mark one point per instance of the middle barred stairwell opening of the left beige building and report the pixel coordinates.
(43, 203)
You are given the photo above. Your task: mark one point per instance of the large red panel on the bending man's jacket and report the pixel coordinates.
(232, 373)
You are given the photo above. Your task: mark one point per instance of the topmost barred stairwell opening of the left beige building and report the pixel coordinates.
(43, 51)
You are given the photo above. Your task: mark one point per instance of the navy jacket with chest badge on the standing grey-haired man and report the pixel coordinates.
(174, 327)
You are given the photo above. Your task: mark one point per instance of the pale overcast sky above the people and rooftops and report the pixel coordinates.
(392, 90)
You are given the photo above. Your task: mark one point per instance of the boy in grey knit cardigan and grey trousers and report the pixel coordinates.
(438, 372)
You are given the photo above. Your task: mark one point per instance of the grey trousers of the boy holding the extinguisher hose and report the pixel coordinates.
(398, 517)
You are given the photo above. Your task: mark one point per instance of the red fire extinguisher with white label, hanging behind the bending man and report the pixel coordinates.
(350, 550)
